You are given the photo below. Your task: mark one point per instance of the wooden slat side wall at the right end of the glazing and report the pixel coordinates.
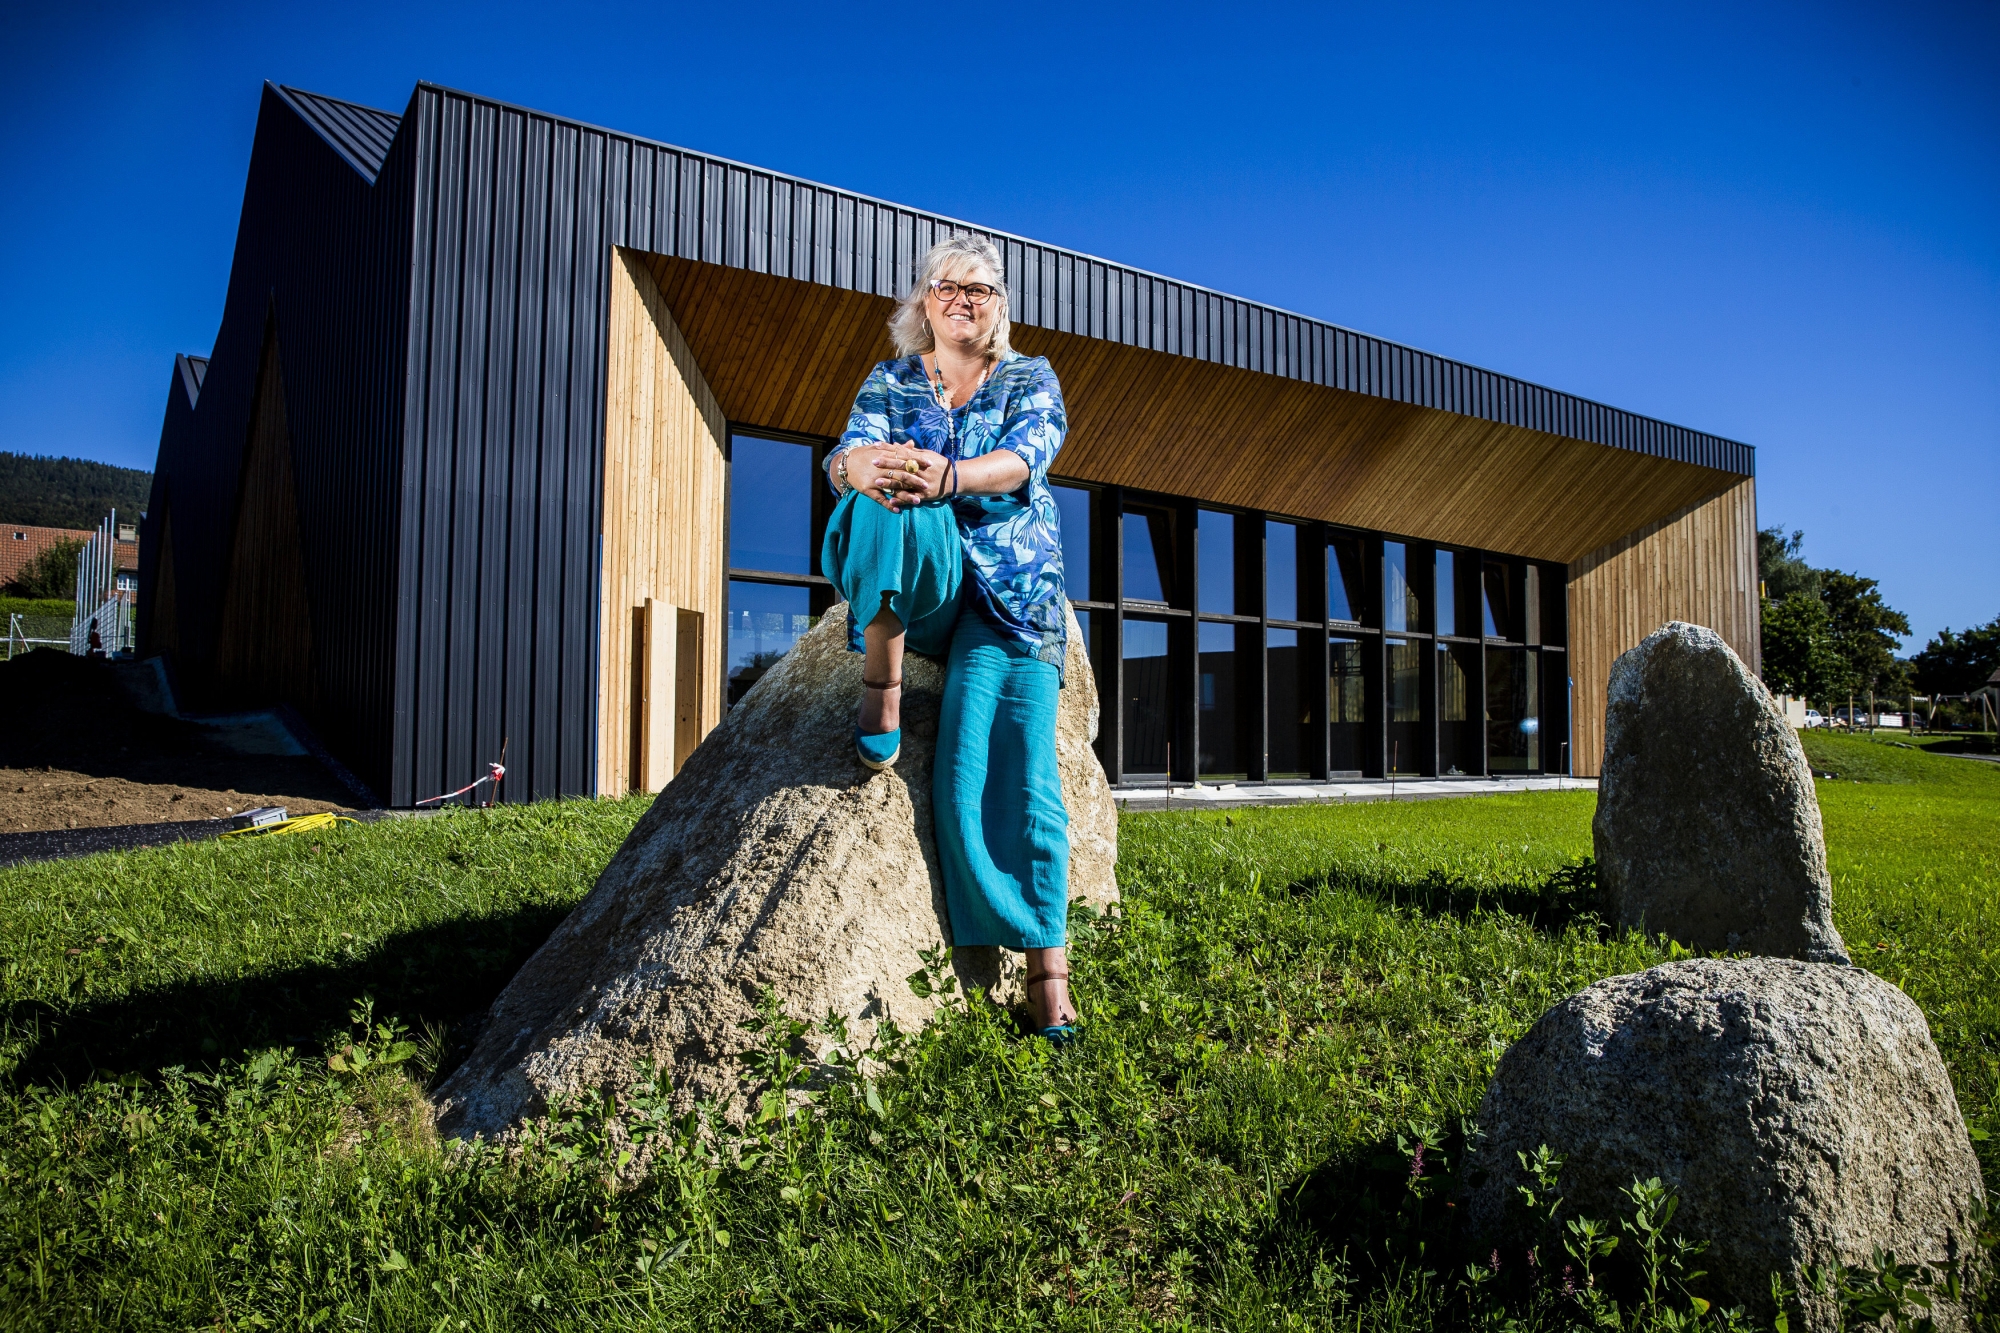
(1697, 565)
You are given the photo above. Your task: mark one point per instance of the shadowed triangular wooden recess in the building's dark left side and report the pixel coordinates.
(265, 639)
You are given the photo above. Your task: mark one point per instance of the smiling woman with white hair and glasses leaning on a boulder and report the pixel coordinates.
(947, 541)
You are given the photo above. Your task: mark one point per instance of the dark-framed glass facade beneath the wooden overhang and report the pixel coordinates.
(1271, 647)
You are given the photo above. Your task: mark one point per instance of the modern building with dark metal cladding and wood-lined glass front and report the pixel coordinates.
(511, 433)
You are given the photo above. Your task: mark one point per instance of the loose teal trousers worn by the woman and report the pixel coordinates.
(997, 794)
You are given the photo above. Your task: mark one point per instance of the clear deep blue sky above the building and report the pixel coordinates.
(1773, 223)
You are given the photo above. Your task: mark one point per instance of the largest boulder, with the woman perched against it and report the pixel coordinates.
(773, 860)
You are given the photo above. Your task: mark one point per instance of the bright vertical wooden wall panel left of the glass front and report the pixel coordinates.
(663, 533)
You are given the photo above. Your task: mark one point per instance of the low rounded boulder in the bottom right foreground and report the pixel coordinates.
(1799, 1110)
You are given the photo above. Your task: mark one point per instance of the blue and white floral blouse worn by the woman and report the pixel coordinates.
(1013, 541)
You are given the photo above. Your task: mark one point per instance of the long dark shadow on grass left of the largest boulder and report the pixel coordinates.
(437, 976)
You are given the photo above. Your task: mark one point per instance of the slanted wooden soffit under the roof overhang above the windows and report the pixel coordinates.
(789, 355)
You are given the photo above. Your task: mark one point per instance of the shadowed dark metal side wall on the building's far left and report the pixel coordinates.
(323, 269)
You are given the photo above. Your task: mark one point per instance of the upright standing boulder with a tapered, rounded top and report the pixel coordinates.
(1707, 828)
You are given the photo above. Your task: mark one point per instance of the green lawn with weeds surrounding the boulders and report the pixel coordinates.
(1289, 1004)
